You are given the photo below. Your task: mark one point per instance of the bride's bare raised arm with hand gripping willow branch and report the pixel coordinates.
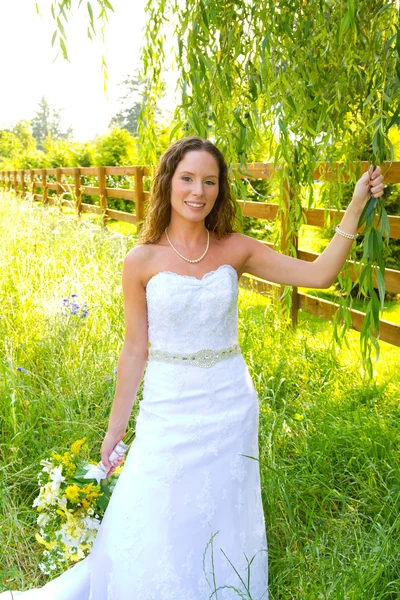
(264, 262)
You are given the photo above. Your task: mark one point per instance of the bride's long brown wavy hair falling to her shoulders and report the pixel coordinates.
(222, 218)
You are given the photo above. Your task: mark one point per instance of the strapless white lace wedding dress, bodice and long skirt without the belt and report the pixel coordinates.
(190, 472)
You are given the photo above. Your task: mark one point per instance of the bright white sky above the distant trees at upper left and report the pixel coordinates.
(28, 70)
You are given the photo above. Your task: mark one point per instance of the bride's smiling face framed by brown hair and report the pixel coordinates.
(195, 186)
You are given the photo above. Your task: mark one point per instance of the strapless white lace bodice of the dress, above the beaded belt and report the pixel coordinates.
(186, 314)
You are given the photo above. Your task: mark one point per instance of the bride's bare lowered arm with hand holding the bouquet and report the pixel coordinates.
(134, 353)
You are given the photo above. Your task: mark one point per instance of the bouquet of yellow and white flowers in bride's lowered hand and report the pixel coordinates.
(74, 494)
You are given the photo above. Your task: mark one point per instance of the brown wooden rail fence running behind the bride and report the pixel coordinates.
(69, 181)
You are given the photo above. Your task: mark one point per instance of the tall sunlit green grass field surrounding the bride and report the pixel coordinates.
(329, 439)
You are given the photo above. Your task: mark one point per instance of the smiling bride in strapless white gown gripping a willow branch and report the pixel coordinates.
(185, 520)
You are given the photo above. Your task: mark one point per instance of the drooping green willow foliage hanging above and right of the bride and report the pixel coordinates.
(320, 80)
